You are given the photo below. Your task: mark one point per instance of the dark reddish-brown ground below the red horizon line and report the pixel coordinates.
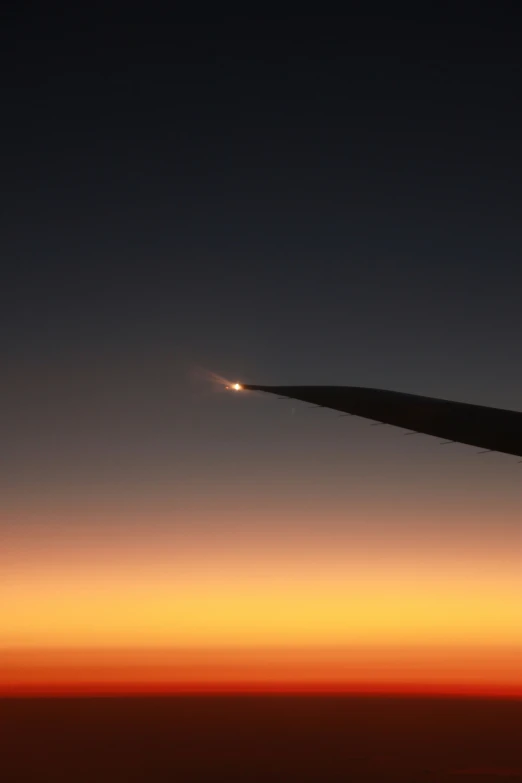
(260, 738)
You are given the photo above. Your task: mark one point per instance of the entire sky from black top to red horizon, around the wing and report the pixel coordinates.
(265, 199)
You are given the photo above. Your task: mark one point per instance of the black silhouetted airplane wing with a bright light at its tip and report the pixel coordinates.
(490, 429)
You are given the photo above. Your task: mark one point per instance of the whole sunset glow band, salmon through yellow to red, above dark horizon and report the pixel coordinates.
(90, 611)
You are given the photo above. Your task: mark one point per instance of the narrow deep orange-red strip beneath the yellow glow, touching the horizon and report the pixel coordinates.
(423, 671)
